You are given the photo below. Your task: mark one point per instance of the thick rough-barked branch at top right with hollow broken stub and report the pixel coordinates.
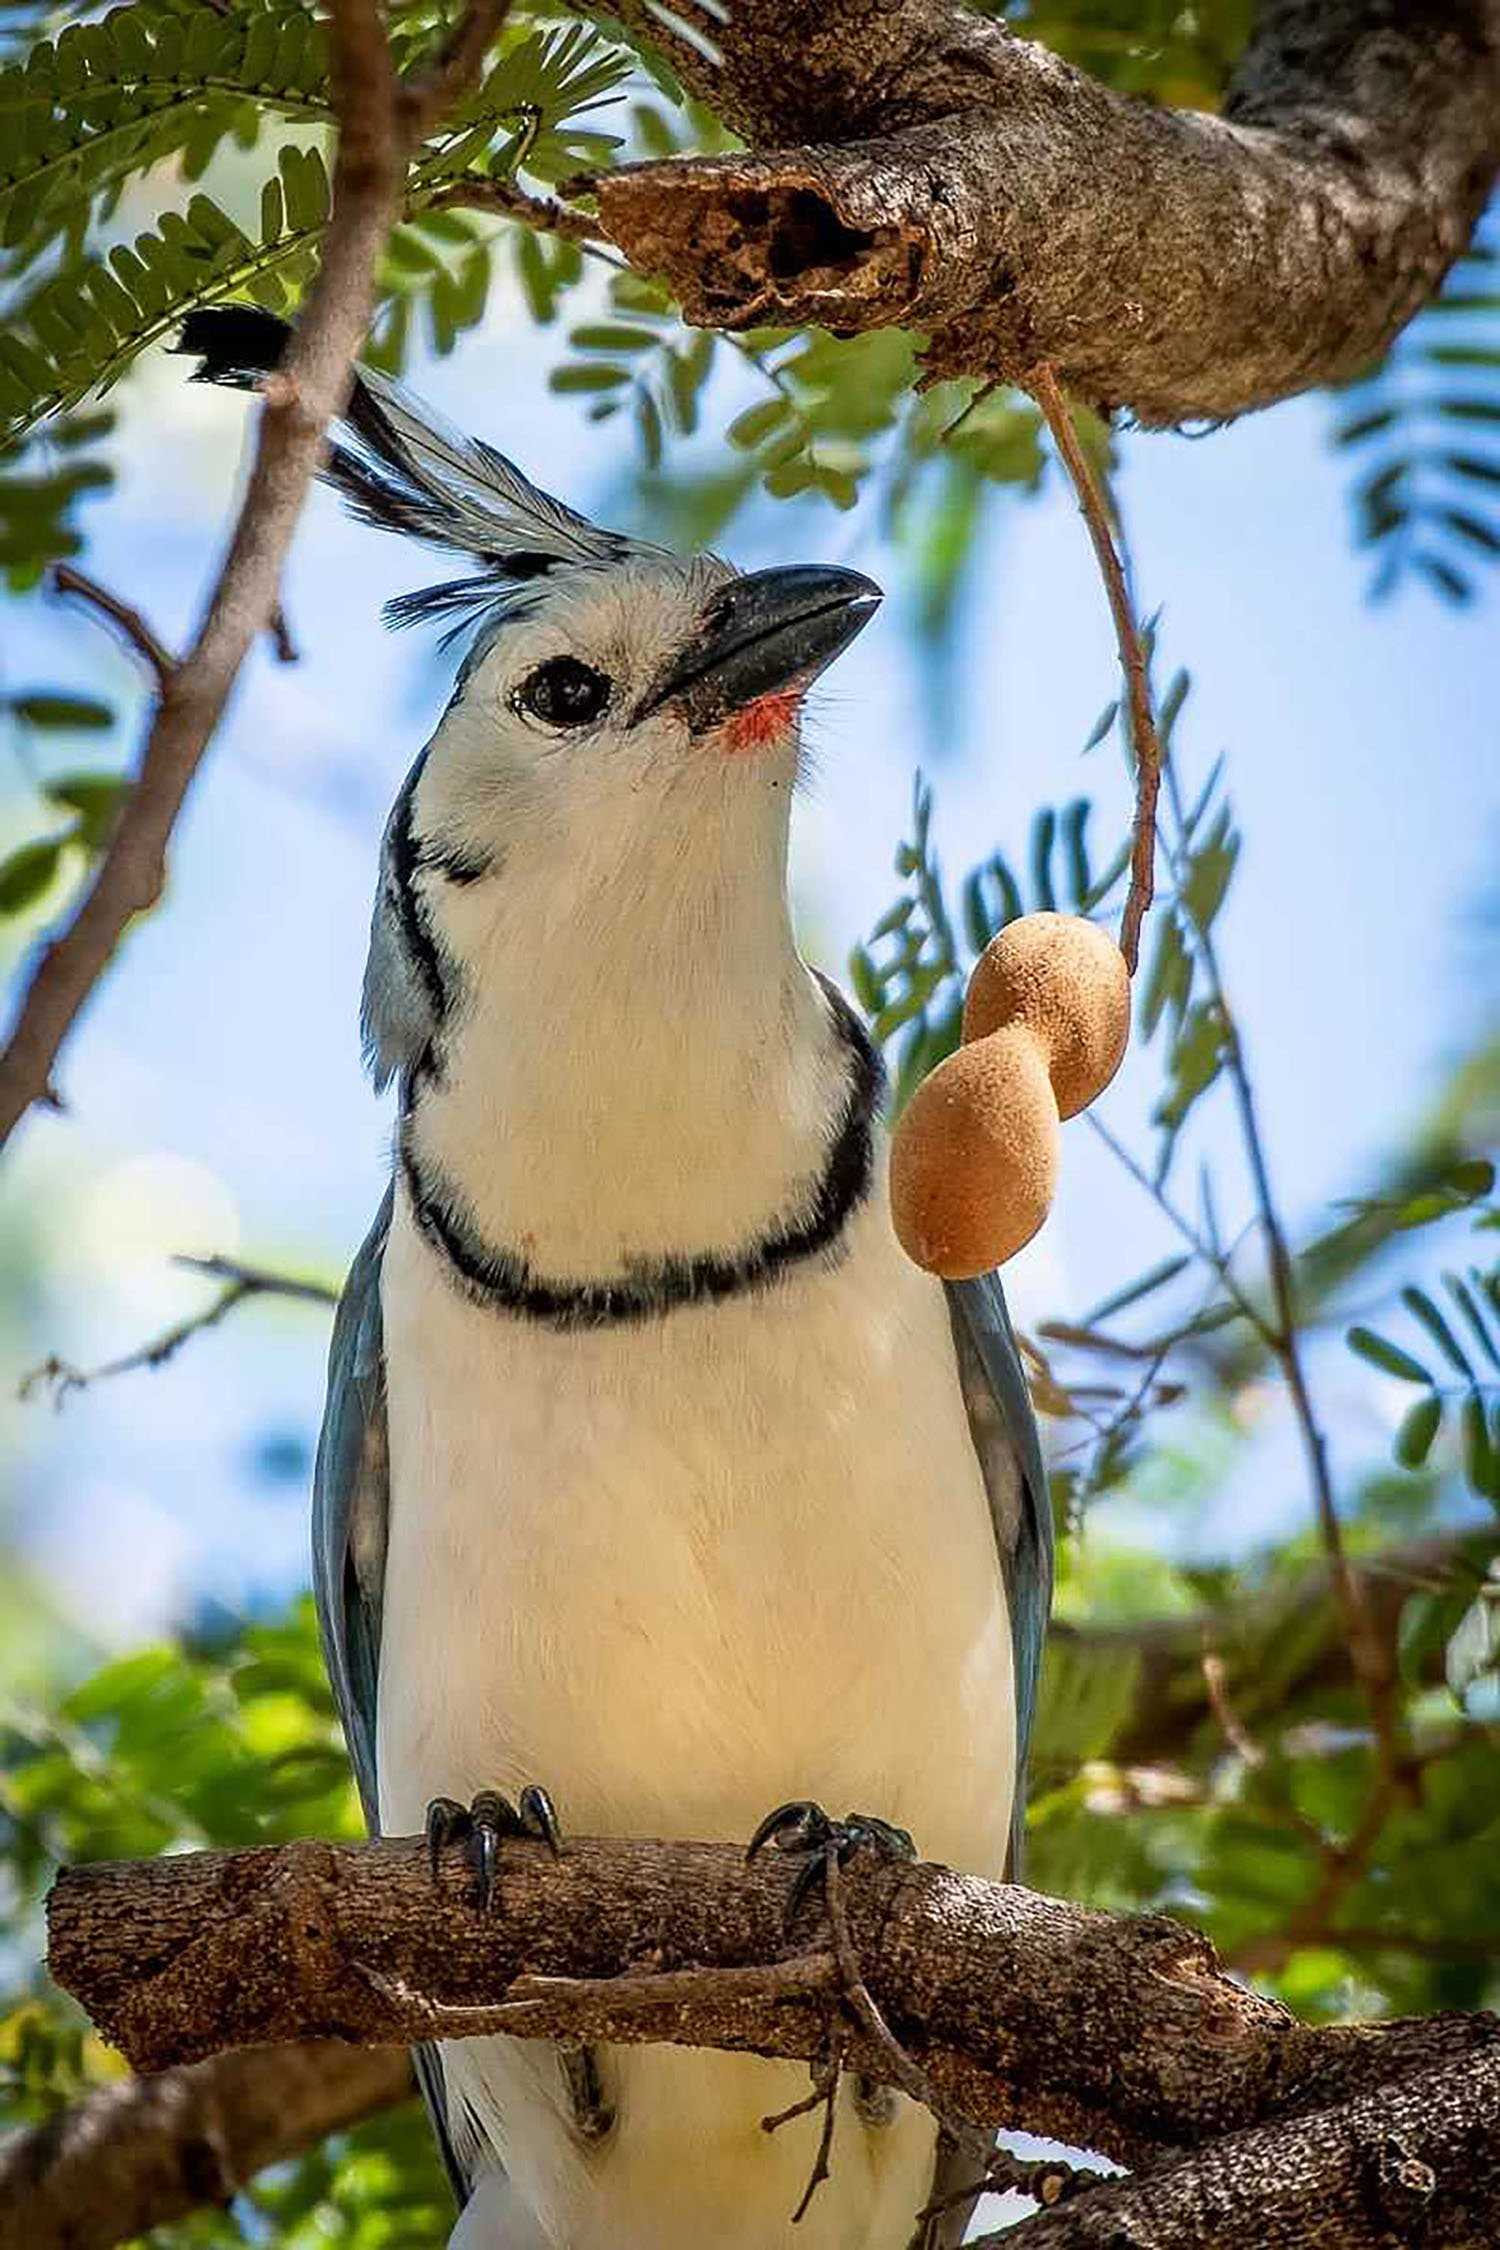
(930, 168)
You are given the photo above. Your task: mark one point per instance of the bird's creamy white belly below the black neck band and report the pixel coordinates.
(680, 1574)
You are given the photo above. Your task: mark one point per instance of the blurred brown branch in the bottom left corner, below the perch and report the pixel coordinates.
(145, 2152)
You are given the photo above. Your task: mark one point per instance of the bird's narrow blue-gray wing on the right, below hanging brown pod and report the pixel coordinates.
(1011, 1461)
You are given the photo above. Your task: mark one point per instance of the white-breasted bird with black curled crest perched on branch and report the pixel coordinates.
(658, 1491)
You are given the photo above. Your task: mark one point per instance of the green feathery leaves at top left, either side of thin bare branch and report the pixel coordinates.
(116, 98)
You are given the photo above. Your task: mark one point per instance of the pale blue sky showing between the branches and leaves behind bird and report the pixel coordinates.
(215, 1092)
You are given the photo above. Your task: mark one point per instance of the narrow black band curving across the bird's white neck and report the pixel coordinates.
(658, 1286)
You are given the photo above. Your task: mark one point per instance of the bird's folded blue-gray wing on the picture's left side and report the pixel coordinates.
(352, 1497)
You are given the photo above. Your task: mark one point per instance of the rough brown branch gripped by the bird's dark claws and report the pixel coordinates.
(1110, 2033)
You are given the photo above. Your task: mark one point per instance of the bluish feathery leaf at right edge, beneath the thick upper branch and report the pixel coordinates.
(1425, 435)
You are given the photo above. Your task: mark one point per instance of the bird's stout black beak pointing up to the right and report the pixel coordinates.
(763, 636)
